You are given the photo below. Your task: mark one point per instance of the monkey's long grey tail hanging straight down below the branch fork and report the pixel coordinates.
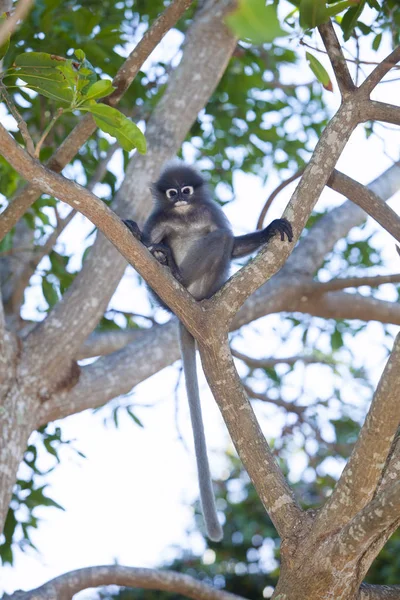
(188, 350)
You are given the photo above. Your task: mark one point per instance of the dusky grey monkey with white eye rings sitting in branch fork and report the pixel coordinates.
(188, 232)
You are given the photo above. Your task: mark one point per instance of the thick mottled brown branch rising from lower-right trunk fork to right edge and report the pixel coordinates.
(363, 471)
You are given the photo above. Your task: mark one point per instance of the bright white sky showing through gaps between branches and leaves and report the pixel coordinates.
(130, 499)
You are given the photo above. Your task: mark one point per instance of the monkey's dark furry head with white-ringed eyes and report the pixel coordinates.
(178, 186)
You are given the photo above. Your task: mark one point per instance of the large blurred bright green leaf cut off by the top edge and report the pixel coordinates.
(254, 21)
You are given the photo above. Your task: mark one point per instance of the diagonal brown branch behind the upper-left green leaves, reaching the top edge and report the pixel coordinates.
(80, 134)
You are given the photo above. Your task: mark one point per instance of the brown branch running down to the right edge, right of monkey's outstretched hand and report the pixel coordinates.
(367, 200)
